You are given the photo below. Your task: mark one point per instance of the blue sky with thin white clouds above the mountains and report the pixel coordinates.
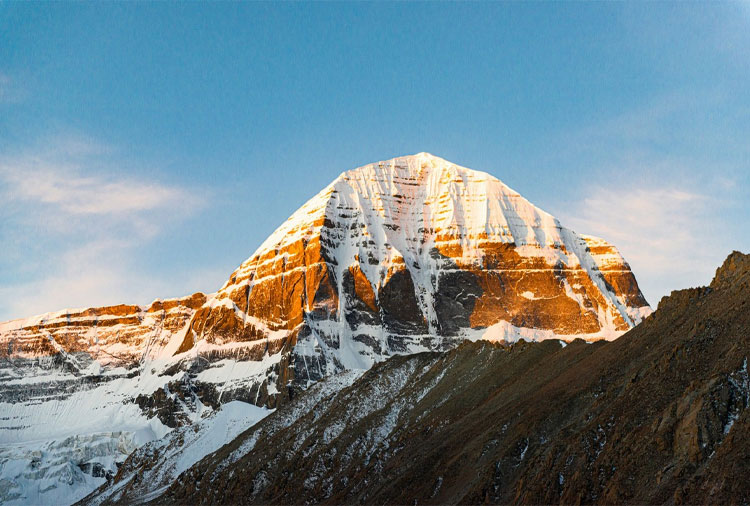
(147, 149)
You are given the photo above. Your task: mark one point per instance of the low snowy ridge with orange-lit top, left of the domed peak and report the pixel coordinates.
(81, 390)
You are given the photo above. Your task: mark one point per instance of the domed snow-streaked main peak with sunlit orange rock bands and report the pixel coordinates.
(415, 254)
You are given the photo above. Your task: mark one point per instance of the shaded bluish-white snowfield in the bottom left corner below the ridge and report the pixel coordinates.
(46, 437)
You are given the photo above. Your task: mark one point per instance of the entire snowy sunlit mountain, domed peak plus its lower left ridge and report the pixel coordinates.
(408, 255)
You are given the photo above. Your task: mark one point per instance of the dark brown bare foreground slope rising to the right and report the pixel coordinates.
(659, 415)
